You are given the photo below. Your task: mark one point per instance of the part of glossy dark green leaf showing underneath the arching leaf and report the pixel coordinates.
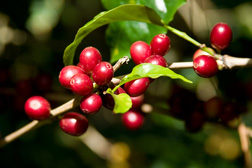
(121, 35)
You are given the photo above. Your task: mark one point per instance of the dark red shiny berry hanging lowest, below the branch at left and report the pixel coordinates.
(74, 123)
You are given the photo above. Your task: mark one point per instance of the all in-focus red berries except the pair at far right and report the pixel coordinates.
(91, 69)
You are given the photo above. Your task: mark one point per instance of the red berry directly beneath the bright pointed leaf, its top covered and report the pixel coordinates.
(137, 87)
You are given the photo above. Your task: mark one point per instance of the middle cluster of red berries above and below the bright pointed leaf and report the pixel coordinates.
(141, 52)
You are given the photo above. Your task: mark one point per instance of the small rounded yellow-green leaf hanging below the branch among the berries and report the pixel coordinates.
(122, 102)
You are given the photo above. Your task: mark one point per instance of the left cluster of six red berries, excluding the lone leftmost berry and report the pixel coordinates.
(80, 80)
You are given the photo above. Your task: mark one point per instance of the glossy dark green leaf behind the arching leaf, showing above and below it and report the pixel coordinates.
(121, 35)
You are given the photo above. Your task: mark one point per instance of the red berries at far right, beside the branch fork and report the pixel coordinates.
(204, 64)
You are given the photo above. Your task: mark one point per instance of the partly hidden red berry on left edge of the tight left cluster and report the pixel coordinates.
(67, 73)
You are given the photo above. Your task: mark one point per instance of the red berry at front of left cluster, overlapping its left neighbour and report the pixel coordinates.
(81, 84)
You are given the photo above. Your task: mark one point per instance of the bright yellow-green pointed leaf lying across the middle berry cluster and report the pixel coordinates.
(151, 71)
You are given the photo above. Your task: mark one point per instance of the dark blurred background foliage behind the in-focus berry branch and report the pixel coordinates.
(33, 36)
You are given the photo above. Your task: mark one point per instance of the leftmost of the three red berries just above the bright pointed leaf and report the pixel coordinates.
(139, 51)
